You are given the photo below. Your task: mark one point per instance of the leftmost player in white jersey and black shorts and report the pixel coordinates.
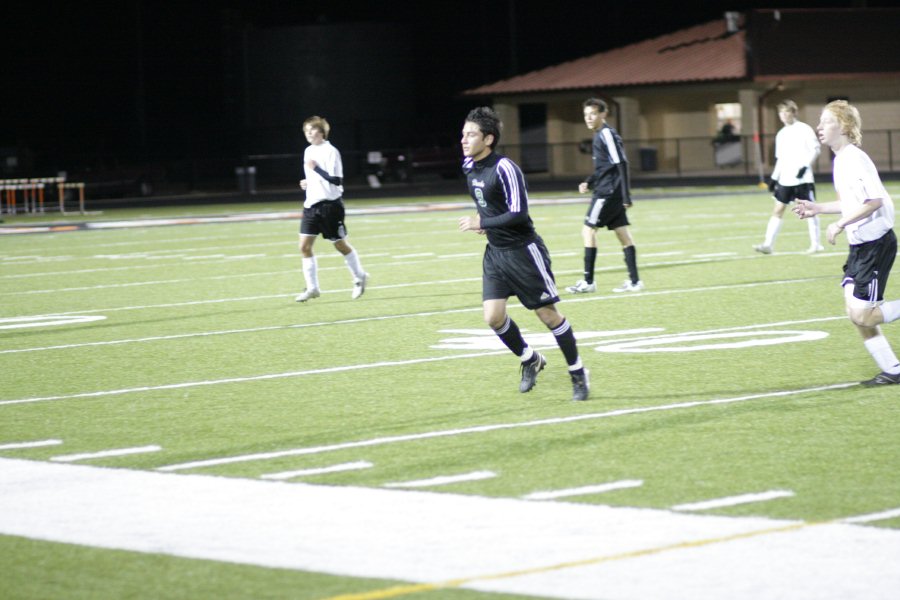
(323, 209)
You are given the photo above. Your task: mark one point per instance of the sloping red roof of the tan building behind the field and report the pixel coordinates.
(701, 53)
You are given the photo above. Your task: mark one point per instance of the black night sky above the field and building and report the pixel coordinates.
(73, 71)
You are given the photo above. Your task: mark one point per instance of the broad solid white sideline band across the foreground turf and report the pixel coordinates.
(533, 549)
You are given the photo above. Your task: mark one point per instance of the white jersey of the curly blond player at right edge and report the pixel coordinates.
(856, 180)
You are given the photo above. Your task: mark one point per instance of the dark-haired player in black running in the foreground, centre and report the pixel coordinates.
(516, 262)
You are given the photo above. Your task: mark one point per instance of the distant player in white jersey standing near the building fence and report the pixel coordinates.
(796, 148)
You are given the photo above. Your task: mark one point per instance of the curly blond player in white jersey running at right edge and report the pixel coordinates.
(867, 218)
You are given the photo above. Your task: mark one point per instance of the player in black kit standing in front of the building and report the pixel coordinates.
(609, 199)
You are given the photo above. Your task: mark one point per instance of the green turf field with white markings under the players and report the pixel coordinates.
(174, 425)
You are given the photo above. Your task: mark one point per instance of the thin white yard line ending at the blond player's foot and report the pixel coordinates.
(488, 428)
